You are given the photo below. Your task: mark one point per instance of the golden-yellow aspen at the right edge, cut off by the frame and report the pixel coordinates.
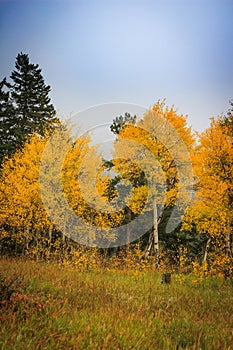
(212, 212)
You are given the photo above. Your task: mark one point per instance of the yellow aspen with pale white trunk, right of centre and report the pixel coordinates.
(159, 144)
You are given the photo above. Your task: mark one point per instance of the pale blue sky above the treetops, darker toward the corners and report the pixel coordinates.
(99, 51)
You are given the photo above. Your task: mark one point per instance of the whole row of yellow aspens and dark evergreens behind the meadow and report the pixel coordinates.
(161, 139)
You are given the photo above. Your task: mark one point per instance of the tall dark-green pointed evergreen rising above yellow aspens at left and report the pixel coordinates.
(34, 111)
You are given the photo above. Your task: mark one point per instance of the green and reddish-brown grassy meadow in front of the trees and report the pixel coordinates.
(47, 306)
